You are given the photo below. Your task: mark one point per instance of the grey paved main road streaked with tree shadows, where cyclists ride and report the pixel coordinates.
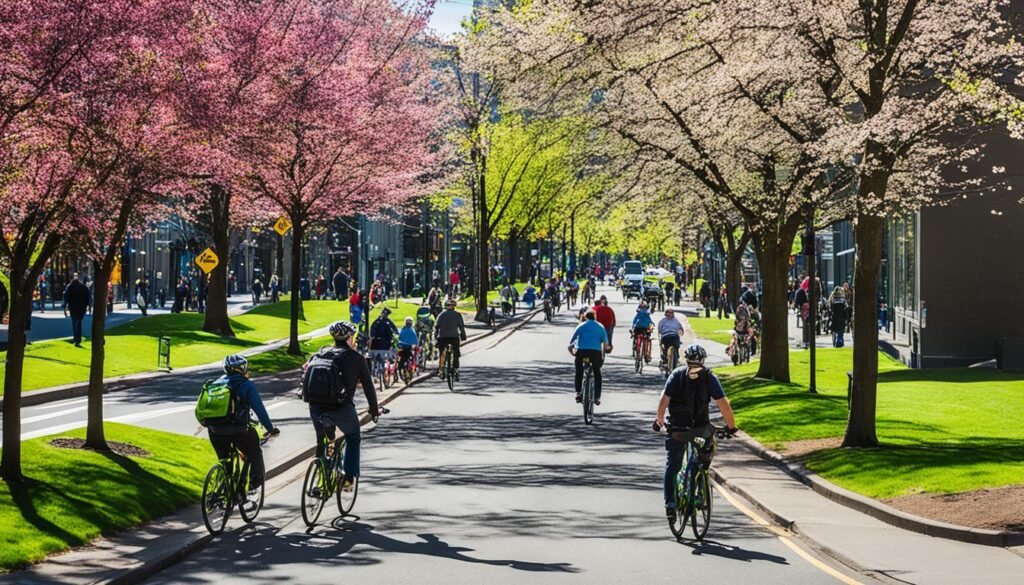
(502, 483)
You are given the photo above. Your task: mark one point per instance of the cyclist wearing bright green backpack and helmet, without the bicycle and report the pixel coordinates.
(224, 409)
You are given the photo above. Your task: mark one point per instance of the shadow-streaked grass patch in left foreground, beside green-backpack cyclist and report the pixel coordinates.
(73, 496)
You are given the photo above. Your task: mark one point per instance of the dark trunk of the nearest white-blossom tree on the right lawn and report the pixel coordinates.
(861, 427)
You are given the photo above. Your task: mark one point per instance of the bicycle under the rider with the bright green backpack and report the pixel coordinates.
(228, 486)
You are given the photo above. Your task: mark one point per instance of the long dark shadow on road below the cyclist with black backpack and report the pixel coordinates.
(351, 534)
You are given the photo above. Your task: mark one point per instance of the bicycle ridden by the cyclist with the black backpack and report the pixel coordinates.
(325, 478)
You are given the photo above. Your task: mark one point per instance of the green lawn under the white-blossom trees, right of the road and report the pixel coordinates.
(943, 431)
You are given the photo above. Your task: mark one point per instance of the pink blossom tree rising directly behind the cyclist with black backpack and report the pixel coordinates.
(355, 119)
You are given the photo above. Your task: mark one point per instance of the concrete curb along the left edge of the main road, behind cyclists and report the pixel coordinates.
(148, 569)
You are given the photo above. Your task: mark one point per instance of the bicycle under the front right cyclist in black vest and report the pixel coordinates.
(694, 494)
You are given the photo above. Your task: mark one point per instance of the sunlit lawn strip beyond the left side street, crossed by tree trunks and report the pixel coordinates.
(133, 348)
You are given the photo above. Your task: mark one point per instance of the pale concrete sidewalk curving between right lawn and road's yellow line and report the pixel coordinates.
(864, 544)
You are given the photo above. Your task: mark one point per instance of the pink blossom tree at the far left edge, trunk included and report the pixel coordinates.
(56, 58)
